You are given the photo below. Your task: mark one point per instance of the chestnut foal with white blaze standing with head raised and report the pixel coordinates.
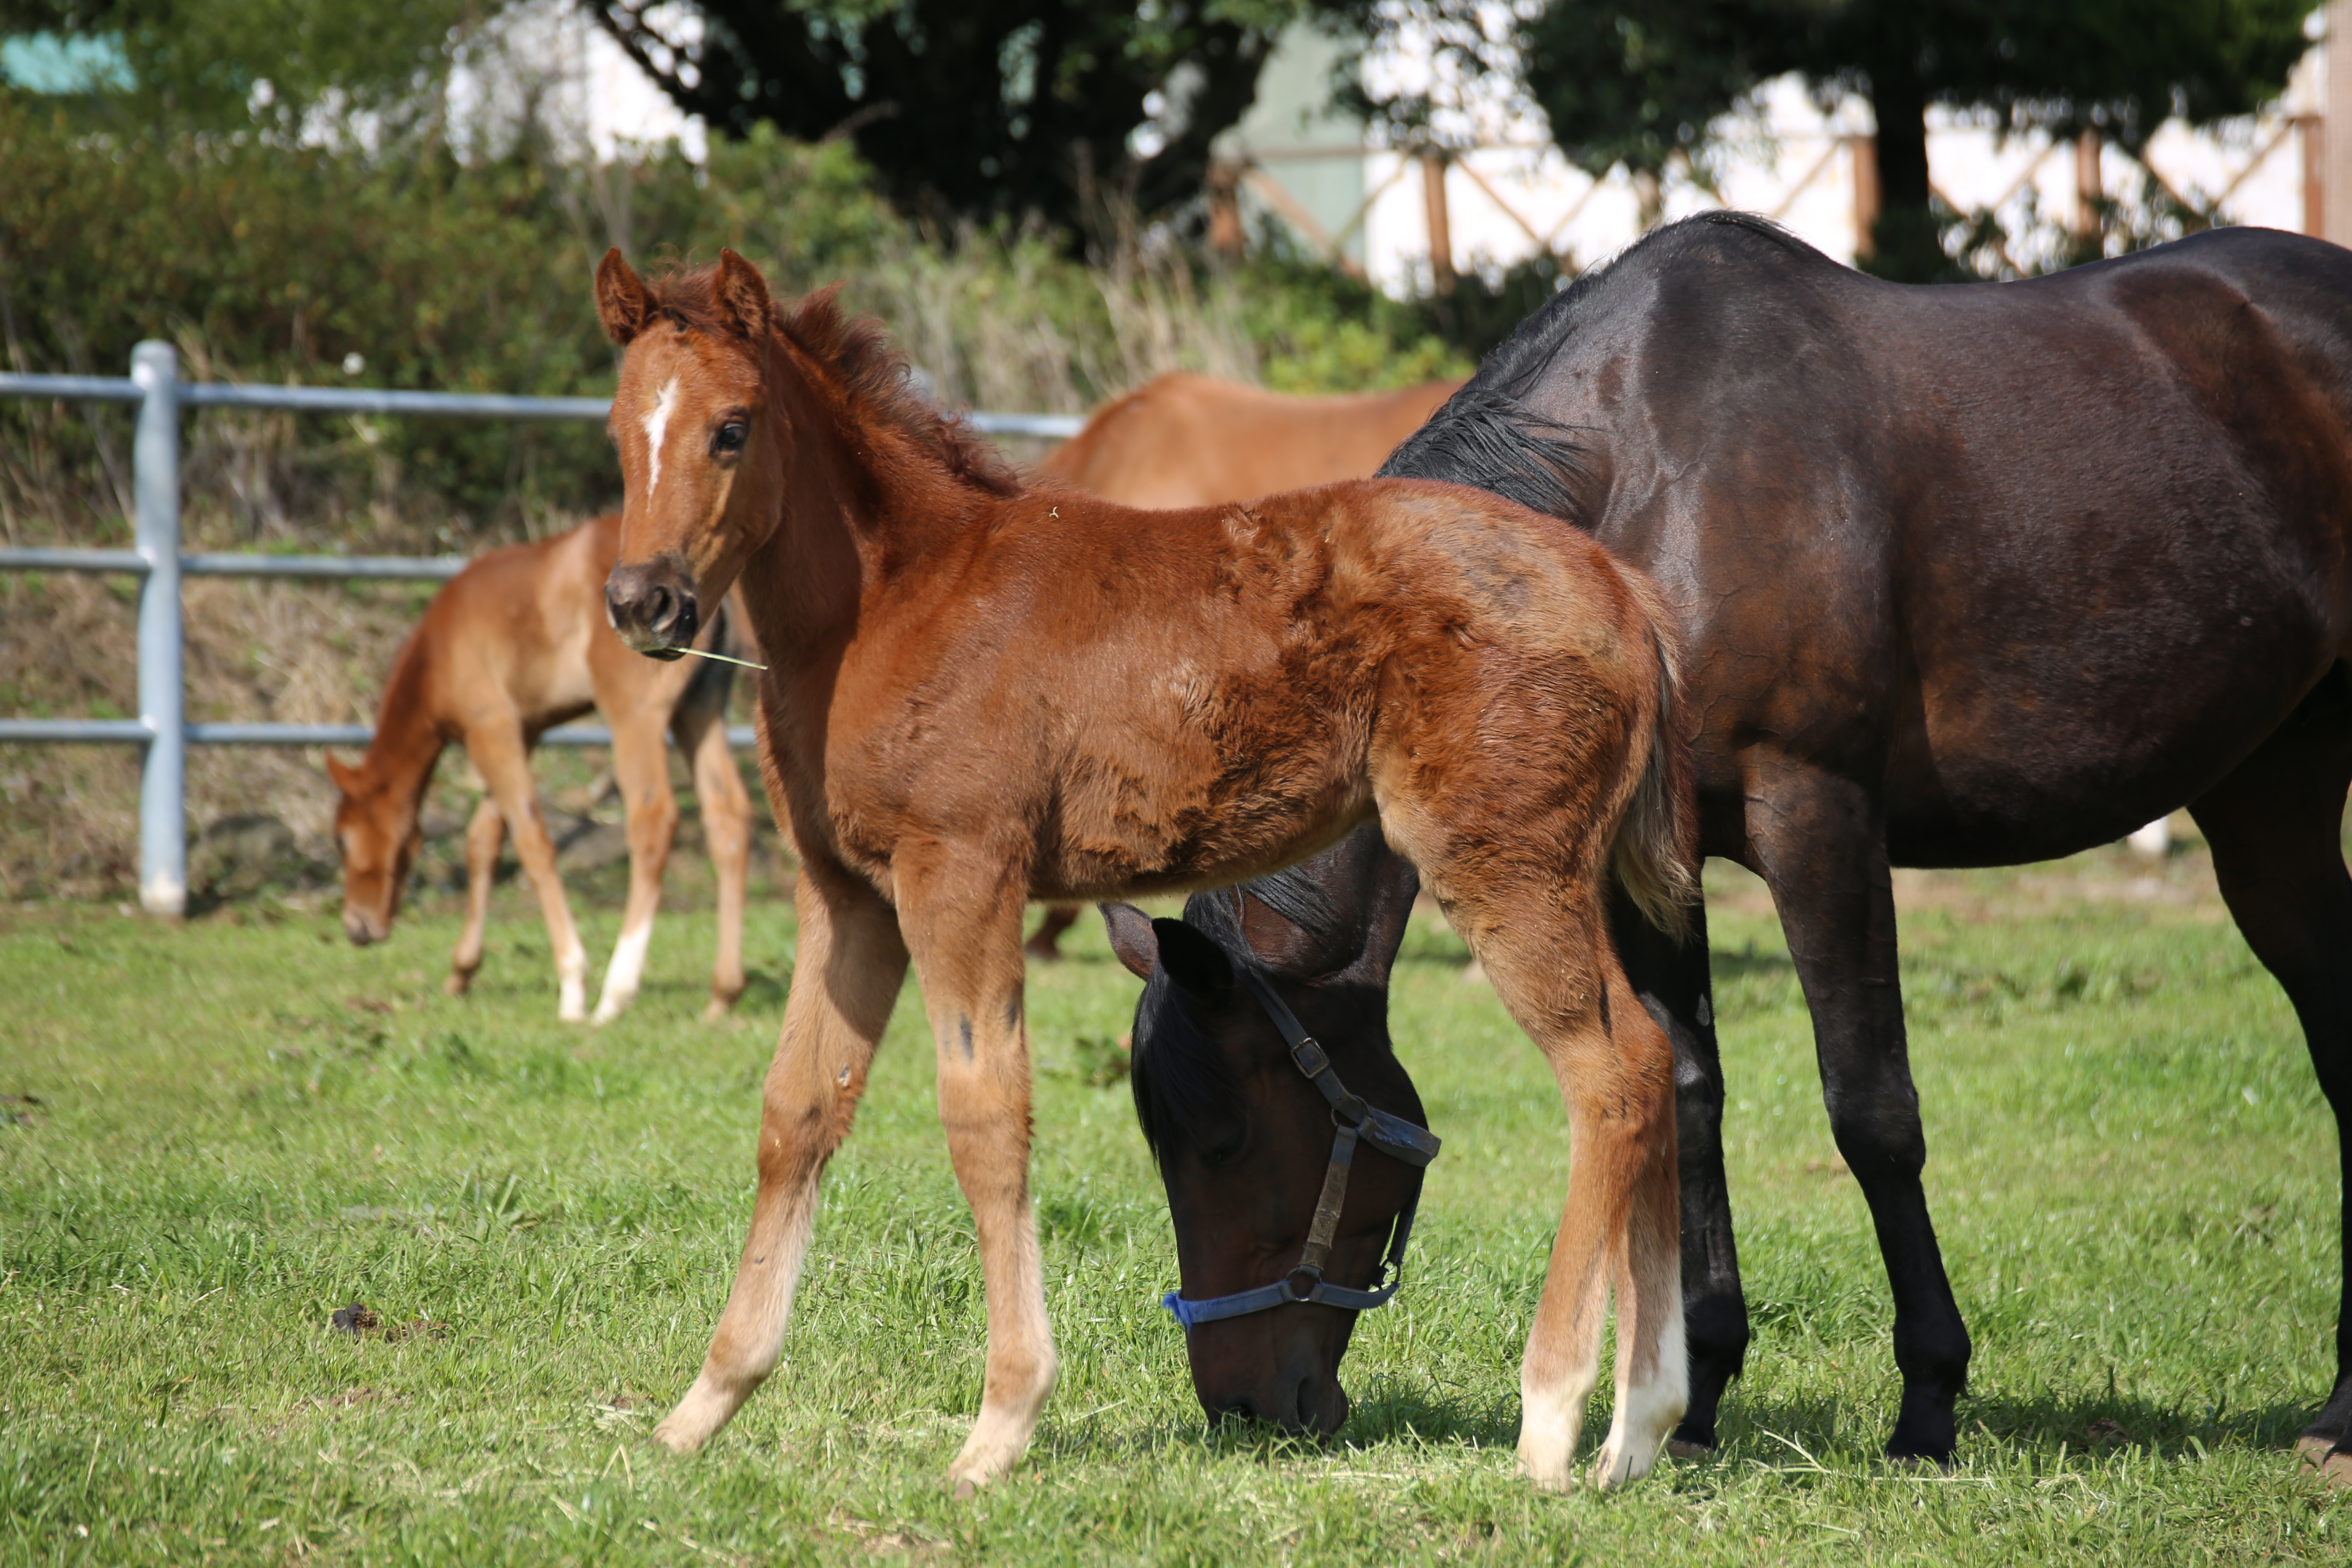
(984, 695)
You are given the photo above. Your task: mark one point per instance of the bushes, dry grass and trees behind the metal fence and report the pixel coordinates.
(363, 194)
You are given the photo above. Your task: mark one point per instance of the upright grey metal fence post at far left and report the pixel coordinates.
(163, 815)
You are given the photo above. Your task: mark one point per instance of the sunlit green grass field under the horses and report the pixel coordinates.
(227, 1132)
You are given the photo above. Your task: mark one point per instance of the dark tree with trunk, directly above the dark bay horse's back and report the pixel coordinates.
(1638, 81)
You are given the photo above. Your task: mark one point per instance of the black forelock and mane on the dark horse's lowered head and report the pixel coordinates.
(1182, 1083)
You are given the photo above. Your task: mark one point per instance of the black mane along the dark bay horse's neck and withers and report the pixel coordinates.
(1492, 441)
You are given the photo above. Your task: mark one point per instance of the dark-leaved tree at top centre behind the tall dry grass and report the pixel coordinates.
(973, 107)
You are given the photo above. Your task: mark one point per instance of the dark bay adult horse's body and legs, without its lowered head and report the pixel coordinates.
(1967, 577)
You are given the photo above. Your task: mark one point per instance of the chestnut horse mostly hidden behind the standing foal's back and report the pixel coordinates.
(1201, 441)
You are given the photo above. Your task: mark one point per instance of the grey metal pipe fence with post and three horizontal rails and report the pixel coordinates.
(156, 558)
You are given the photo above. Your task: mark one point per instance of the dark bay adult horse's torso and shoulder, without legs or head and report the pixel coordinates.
(2050, 556)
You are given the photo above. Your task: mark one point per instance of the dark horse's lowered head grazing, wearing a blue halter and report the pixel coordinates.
(1243, 1139)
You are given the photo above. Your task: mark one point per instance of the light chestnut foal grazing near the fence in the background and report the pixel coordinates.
(509, 650)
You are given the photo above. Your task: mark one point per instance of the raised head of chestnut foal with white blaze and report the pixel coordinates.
(700, 455)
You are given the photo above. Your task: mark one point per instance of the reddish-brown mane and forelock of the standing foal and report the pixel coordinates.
(869, 373)
